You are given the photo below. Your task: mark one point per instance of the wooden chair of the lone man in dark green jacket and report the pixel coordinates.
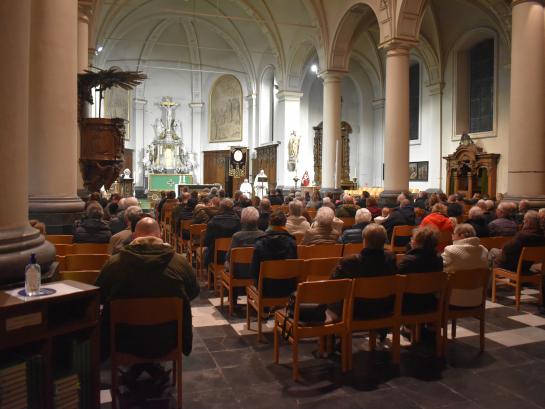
(146, 311)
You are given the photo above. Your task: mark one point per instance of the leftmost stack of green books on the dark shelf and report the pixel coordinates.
(13, 386)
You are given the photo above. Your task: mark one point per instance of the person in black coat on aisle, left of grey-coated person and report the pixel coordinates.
(224, 224)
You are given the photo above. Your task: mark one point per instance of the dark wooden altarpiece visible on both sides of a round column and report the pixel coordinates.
(346, 130)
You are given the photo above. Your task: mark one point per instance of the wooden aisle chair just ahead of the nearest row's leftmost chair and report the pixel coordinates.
(272, 270)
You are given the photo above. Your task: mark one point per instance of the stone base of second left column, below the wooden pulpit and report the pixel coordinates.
(57, 213)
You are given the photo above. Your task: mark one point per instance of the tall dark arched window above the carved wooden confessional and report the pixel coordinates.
(481, 88)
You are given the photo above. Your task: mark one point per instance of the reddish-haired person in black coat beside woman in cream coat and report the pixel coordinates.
(421, 258)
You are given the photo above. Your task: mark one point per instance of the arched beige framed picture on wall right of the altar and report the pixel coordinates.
(225, 110)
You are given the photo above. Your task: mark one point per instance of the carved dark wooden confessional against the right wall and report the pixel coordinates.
(470, 170)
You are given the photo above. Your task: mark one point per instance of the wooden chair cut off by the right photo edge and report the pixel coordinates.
(515, 279)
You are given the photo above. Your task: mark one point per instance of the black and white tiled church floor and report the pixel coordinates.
(228, 368)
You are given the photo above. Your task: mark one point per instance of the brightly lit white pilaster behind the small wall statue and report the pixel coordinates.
(287, 120)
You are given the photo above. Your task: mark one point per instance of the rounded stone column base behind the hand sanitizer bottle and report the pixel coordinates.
(16, 246)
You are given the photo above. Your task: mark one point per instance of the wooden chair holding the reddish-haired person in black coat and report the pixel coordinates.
(426, 283)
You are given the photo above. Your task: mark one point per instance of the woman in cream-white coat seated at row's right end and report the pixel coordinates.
(465, 253)
